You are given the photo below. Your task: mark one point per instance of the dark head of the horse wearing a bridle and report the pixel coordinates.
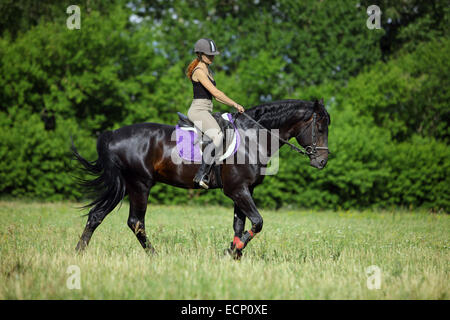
(313, 134)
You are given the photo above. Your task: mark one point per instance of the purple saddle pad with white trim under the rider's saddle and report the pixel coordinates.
(187, 136)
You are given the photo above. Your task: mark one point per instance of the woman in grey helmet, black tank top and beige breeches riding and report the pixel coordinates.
(201, 107)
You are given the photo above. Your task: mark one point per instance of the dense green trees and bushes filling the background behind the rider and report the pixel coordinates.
(386, 90)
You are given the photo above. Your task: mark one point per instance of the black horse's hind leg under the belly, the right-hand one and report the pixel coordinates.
(138, 195)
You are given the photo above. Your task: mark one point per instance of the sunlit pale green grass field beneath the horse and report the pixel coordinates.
(298, 255)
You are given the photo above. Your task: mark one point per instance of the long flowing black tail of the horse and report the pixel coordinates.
(108, 187)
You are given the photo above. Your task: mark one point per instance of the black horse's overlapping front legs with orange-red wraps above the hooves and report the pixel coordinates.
(243, 201)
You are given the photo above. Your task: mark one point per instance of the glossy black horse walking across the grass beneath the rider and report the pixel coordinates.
(133, 158)
